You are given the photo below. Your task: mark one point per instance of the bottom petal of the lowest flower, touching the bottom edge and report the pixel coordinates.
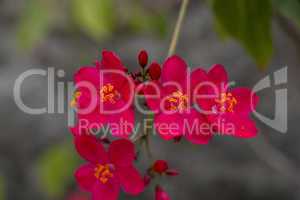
(107, 191)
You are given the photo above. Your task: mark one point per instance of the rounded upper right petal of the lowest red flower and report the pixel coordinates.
(122, 152)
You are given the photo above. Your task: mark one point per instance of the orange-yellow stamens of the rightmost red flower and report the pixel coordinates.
(226, 102)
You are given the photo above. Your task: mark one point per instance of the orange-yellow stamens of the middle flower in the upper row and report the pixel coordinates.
(177, 101)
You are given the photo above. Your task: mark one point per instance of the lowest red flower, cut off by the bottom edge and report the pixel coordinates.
(107, 171)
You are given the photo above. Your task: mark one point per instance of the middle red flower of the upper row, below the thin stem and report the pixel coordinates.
(171, 101)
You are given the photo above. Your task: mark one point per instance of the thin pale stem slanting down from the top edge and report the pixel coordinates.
(178, 26)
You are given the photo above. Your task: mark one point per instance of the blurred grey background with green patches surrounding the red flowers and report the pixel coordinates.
(37, 158)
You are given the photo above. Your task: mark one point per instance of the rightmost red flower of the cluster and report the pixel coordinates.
(229, 109)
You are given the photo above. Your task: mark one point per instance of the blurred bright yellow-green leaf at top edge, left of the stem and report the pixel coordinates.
(95, 17)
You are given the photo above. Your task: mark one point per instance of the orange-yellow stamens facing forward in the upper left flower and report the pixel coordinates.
(108, 93)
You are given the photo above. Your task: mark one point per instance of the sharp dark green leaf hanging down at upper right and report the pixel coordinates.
(249, 22)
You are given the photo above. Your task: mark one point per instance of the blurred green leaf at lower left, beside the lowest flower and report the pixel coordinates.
(56, 168)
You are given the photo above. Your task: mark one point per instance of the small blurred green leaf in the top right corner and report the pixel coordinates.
(289, 8)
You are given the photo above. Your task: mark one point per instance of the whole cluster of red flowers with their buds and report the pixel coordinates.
(196, 105)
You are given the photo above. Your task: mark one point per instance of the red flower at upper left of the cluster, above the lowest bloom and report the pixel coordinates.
(109, 95)
